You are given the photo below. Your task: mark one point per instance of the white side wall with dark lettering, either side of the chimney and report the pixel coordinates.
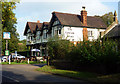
(76, 33)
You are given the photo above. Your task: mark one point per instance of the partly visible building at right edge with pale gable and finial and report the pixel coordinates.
(113, 32)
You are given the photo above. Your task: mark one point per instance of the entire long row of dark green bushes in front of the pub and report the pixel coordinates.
(87, 53)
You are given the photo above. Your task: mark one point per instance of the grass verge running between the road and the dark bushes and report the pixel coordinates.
(87, 76)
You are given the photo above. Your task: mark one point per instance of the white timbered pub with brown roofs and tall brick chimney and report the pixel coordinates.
(68, 26)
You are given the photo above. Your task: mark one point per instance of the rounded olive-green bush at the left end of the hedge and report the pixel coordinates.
(58, 49)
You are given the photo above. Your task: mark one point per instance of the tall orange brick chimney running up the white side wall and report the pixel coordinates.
(84, 22)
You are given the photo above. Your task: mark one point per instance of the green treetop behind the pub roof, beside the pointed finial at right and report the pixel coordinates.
(108, 18)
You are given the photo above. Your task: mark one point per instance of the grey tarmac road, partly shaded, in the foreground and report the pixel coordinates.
(26, 74)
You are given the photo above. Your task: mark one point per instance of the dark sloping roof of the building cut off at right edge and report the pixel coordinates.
(114, 32)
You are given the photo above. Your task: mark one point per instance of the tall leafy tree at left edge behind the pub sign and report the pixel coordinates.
(8, 25)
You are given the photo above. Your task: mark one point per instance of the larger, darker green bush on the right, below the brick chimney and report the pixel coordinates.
(95, 53)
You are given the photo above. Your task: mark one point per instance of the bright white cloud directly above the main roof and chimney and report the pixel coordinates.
(95, 7)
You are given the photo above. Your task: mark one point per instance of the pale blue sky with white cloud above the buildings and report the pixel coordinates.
(33, 10)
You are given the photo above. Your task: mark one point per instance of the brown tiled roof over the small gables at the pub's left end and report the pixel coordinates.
(32, 26)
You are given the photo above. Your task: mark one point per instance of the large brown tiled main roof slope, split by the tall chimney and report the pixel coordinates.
(75, 20)
